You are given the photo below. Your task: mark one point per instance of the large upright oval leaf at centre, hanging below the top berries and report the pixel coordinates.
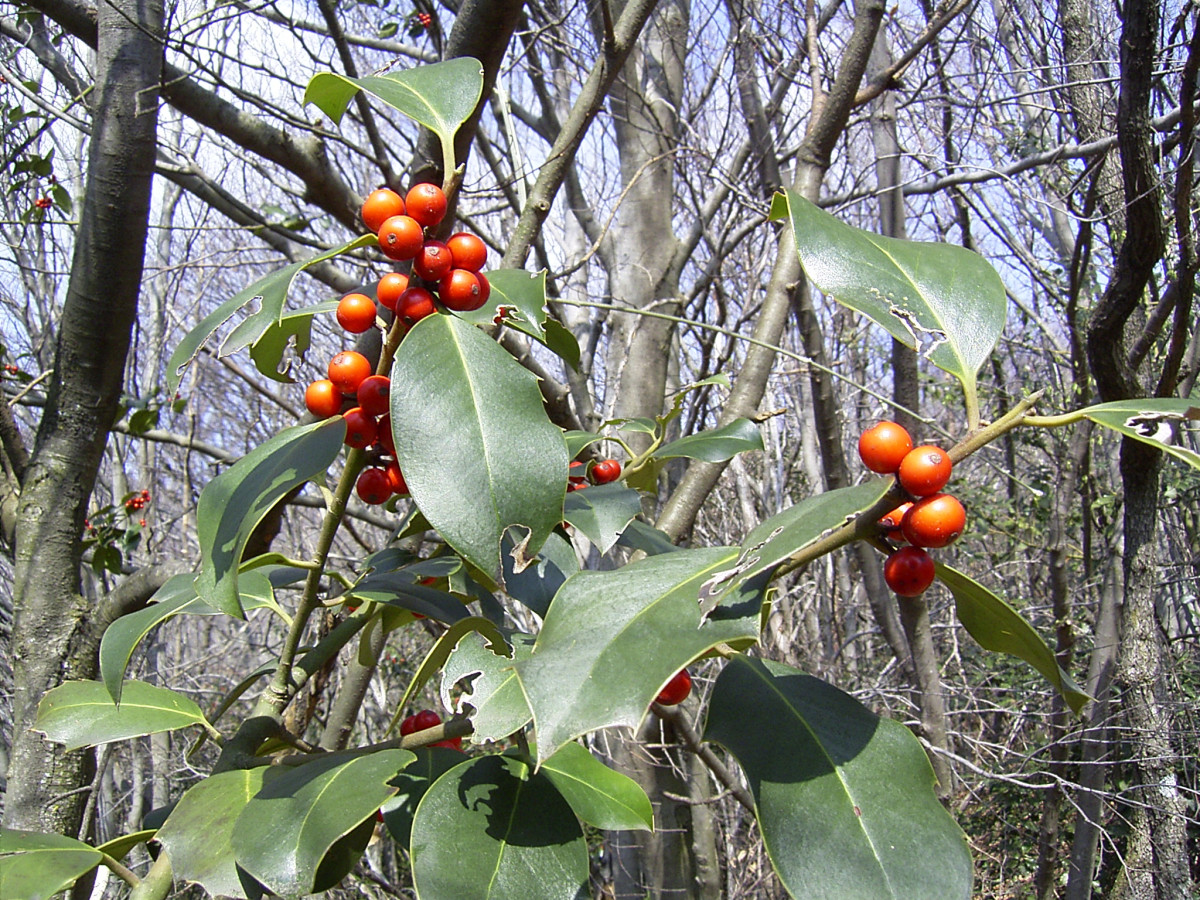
(477, 448)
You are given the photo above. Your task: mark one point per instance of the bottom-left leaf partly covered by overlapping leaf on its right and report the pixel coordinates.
(199, 833)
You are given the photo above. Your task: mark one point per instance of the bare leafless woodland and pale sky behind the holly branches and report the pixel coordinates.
(1058, 141)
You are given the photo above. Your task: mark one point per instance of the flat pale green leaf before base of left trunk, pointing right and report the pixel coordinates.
(82, 713)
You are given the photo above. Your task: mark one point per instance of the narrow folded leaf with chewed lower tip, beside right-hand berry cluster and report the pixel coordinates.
(782, 536)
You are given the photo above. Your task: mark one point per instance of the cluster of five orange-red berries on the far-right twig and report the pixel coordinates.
(932, 520)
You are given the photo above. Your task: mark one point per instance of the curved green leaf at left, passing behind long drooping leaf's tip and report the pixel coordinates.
(176, 597)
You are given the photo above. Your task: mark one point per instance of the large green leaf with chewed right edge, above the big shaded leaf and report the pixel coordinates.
(613, 640)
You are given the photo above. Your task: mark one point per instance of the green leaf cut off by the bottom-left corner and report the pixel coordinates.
(35, 867)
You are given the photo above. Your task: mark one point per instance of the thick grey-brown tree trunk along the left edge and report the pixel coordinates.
(55, 632)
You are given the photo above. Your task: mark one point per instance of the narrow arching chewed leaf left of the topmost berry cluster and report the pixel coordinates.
(269, 293)
